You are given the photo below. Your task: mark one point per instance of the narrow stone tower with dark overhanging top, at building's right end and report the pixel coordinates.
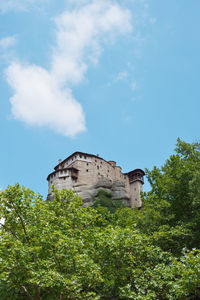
(136, 182)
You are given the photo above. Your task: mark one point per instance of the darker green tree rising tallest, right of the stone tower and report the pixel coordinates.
(171, 210)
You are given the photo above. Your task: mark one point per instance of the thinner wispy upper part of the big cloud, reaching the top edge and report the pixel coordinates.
(80, 34)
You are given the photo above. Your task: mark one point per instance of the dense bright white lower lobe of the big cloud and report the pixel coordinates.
(39, 101)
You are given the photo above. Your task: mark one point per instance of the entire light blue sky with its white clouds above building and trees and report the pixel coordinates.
(117, 78)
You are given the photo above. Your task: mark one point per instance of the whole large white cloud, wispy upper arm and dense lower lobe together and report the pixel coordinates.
(44, 97)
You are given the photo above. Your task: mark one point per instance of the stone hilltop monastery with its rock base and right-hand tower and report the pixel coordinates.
(86, 173)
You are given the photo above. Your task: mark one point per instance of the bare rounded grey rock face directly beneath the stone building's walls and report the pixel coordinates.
(88, 193)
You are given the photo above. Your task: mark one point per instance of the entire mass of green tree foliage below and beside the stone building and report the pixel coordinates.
(60, 250)
